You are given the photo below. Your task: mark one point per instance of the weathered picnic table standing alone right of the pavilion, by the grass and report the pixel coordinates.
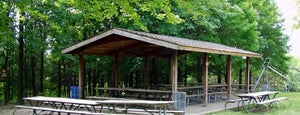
(256, 97)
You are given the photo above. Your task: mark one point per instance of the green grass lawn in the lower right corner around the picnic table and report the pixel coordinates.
(290, 107)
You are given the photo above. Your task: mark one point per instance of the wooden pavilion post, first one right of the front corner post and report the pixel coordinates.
(205, 78)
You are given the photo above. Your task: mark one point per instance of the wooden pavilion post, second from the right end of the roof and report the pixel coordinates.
(228, 77)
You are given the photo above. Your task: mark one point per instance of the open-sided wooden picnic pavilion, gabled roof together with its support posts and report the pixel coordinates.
(122, 42)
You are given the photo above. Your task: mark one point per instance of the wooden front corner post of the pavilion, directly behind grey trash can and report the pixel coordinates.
(173, 71)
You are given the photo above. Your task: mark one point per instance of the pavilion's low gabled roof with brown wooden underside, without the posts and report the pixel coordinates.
(135, 43)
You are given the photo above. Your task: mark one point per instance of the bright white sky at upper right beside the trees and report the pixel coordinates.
(288, 10)
